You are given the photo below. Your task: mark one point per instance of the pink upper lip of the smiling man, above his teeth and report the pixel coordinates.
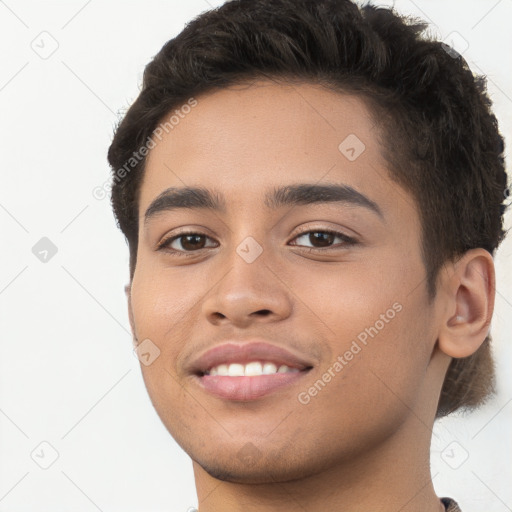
(254, 350)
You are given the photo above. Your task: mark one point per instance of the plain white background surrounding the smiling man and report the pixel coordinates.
(67, 373)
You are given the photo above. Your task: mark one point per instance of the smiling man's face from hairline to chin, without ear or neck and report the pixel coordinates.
(272, 273)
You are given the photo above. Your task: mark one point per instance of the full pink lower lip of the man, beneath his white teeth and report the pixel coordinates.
(248, 388)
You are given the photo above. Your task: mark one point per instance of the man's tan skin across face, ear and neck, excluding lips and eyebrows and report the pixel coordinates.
(362, 443)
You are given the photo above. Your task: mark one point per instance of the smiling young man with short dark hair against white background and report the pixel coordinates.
(312, 193)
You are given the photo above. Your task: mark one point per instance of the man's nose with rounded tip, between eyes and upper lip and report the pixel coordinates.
(248, 292)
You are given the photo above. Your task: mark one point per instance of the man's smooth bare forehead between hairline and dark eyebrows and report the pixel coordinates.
(246, 139)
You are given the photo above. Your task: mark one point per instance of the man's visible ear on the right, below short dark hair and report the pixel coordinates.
(469, 289)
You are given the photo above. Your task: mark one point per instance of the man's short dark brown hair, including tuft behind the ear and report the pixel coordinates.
(439, 135)
